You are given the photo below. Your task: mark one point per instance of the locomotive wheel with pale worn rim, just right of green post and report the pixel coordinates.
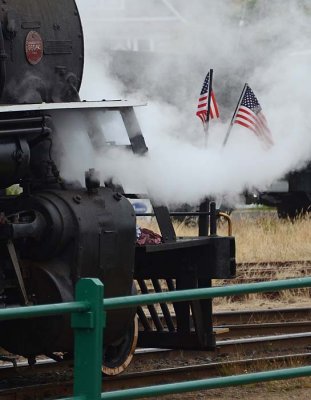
(117, 357)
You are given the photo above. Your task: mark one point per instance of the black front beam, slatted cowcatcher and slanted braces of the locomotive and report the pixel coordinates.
(182, 263)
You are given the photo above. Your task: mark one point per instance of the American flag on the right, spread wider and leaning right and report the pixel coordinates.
(250, 115)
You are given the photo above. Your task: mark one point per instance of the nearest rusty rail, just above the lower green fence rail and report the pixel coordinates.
(43, 388)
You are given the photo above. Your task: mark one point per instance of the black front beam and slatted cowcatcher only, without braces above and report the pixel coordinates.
(182, 264)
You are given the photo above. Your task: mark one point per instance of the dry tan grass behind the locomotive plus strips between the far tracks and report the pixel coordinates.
(265, 238)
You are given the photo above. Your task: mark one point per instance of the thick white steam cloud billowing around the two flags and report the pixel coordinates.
(263, 43)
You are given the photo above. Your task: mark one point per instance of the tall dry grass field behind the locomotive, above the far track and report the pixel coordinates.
(266, 238)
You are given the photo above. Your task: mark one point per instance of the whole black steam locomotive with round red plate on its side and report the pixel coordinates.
(56, 232)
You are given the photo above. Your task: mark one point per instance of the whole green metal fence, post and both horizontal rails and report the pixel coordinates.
(88, 321)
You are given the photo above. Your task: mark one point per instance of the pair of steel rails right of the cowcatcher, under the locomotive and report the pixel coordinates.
(251, 331)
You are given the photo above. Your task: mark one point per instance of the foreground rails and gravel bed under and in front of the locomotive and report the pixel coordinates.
(249, 333)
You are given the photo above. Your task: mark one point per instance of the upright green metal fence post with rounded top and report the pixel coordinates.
(88, 330)
